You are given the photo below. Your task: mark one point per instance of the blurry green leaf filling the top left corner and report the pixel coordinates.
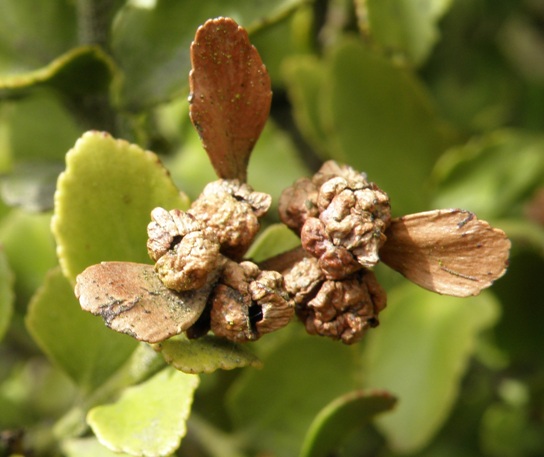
(34, 33)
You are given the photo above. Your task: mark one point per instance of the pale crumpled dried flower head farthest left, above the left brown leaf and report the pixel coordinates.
(186, 252)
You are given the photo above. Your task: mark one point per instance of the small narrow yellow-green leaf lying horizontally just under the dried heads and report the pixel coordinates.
(205, 354)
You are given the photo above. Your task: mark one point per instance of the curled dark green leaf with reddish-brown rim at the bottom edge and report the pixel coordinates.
(341, 417)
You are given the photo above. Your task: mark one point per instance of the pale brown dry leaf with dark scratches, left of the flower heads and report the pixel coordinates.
(131, 299)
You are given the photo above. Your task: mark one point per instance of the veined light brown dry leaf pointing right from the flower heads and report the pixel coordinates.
(447, 251)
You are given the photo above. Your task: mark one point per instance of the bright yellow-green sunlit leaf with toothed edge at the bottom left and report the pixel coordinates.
(148, 419)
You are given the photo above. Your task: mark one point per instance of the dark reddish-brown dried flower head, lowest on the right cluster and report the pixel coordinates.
(346, 309)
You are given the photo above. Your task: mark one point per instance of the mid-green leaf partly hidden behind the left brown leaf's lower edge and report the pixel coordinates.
(76, 341)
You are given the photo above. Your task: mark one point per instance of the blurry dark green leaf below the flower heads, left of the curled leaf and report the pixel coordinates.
(301, 375)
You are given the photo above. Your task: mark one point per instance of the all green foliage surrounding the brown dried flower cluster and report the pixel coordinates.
(441, 102)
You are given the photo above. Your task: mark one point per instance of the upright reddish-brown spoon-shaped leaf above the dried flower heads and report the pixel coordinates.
(230, 95)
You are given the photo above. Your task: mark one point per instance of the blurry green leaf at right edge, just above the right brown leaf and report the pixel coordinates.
(491, 176)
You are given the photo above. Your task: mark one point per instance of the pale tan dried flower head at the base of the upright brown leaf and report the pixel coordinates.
(232, 210)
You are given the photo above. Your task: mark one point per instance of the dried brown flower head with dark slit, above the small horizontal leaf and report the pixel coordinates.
(248, 303)
